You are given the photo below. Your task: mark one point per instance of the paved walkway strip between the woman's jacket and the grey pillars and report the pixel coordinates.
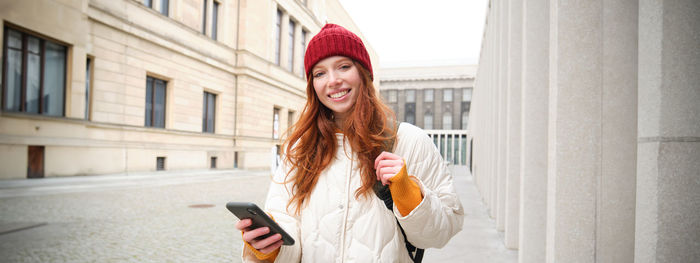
(478, 241)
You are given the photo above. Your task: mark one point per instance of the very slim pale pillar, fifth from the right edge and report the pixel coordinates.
(502, 113)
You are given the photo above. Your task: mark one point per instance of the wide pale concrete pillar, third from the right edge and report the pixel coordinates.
(574, 130)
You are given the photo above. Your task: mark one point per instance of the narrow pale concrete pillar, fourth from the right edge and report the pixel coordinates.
(535, 92)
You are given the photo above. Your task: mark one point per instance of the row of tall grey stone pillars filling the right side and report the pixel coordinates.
(586, 129)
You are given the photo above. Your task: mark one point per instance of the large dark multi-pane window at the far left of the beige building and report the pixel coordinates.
(35, 74)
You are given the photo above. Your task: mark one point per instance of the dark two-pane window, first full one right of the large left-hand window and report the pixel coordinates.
(155, 102)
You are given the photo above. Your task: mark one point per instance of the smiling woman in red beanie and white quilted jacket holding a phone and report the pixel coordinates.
(322, 194)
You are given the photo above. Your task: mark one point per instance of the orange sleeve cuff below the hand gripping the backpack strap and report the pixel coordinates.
(405, 192)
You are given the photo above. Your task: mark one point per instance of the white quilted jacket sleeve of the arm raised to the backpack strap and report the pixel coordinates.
(440, 215)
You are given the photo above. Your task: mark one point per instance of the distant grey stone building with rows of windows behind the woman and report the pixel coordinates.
(433, 98)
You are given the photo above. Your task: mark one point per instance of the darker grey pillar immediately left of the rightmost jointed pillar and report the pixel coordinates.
(617, 183)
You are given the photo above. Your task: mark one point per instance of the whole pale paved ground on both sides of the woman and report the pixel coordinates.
(147, 218)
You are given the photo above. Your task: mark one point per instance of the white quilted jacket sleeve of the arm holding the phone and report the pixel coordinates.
(276, 204)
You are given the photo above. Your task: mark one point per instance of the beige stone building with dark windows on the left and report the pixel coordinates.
(113, 86)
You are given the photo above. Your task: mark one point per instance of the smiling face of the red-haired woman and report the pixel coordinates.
(337, 83)
